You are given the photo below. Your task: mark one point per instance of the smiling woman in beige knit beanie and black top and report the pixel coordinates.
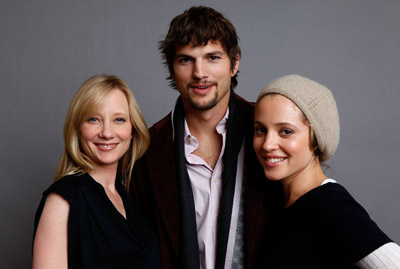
(320, 225)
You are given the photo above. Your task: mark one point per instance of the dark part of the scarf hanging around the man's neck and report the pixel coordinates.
(234, 139)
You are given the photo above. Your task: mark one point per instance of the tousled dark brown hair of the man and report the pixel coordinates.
(197, 26)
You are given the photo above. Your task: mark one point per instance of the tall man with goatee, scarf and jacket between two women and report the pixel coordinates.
(200, 180)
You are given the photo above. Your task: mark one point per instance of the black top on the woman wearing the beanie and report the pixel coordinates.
(325, 228)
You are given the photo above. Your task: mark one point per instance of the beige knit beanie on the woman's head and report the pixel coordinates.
(318, 105)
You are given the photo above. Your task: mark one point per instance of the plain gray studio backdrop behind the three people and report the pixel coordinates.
(49, 47)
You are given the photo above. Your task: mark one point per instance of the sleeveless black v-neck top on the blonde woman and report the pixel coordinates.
(98, 235)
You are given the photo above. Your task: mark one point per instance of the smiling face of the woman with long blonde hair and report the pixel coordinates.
(105, 134)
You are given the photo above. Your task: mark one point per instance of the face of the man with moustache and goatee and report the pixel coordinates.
(203, 75)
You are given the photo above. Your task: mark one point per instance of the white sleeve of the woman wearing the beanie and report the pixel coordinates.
(385, 257)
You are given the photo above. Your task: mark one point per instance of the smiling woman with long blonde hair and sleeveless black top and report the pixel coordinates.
(86, 218)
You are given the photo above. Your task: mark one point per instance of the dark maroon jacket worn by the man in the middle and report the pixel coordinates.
(154, 185)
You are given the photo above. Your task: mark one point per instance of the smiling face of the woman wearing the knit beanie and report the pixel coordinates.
(281, 138)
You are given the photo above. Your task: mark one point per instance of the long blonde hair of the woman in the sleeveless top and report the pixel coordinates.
(89, 96)
